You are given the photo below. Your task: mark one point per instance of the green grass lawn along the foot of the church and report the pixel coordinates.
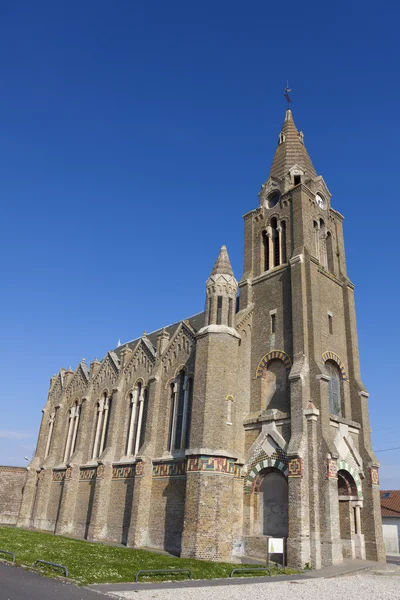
(100, 563)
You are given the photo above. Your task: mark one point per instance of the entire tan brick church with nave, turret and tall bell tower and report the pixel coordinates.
(244, 421)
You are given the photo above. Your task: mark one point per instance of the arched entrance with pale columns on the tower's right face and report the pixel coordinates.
(350, 504)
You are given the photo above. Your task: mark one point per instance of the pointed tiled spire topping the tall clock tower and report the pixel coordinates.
(291, 151)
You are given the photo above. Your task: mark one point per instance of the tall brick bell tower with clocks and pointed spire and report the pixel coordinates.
(303, 314)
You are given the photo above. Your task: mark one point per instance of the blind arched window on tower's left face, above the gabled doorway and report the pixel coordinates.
(275, 387)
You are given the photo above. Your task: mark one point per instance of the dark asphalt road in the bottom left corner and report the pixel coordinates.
(18, 584)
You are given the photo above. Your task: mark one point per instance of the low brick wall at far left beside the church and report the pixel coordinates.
(12, 481)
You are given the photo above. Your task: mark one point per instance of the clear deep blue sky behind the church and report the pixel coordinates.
(135, 135)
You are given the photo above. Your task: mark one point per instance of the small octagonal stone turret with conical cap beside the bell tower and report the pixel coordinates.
(221, 290)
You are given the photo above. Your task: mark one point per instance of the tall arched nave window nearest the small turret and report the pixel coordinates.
(180, 412)
